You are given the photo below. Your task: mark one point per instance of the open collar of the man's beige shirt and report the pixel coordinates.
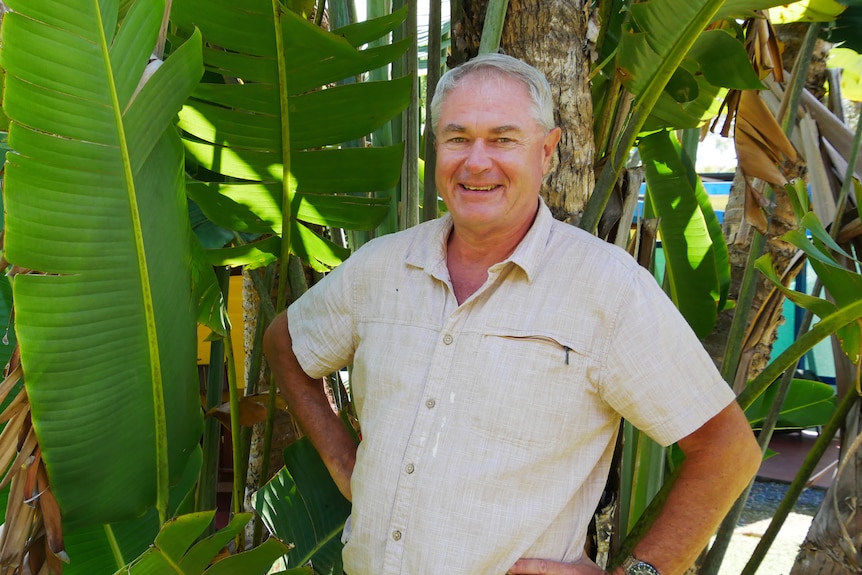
(428, 250)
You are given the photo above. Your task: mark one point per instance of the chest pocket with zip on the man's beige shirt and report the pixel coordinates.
(527, 389)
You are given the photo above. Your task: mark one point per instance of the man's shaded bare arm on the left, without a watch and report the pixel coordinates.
(308, 403)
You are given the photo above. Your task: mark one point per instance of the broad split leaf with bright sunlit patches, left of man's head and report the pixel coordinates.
(268, 138)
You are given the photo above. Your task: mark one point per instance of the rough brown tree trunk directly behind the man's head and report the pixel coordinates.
(552, 36)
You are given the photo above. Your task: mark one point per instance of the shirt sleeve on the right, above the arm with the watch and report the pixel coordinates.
(659, 376)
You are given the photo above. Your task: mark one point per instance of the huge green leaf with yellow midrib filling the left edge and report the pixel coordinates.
(95, 201)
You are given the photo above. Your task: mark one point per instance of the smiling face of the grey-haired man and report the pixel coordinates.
(491, 154)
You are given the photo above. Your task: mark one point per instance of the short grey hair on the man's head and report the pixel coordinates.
(535, 82)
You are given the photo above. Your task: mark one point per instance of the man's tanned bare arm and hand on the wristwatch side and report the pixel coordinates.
(720, 459)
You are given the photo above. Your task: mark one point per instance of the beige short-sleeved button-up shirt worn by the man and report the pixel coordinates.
(489, 427)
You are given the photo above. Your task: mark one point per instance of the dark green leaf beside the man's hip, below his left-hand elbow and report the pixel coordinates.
(303, 507)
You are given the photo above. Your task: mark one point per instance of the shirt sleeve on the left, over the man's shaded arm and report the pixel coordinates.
(321, 323)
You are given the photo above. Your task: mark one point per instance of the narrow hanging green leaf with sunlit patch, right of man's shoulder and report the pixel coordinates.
(697, 265)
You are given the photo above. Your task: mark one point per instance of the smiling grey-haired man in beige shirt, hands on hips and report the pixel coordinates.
(494, 351)
